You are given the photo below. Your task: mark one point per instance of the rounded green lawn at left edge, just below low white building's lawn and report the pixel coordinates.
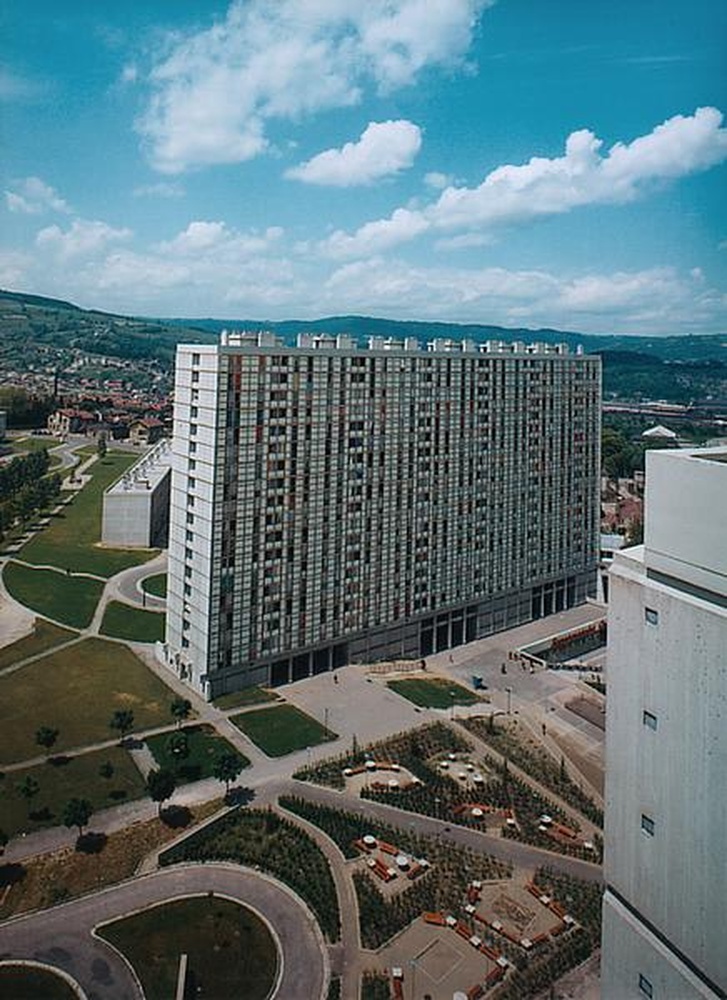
(71, 600)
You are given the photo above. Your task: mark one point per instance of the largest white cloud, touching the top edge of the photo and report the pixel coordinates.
(214, 91)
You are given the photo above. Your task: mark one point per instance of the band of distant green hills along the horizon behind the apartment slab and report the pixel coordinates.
(678, 369)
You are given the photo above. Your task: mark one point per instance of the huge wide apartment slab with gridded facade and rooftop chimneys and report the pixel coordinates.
(332, 504)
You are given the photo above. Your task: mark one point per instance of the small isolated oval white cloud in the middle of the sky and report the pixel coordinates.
(384, 148)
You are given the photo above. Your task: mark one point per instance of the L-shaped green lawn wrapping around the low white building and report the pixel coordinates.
(71, 540)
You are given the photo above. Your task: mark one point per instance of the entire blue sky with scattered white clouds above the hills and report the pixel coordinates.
(522, 163)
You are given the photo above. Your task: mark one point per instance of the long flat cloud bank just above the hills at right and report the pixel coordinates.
(652, 301)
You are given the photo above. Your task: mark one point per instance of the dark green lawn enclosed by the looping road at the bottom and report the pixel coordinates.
(231, 952)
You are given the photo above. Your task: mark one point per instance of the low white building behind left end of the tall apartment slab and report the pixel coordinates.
(136, 506)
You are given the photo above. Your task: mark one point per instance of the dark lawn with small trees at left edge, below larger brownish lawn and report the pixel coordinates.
(72, 777)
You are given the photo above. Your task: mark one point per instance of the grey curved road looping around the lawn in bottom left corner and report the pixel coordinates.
(64, 935)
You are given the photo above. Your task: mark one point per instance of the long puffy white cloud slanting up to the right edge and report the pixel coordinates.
(543, 187)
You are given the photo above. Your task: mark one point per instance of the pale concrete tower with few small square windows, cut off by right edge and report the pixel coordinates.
(665, 907)
